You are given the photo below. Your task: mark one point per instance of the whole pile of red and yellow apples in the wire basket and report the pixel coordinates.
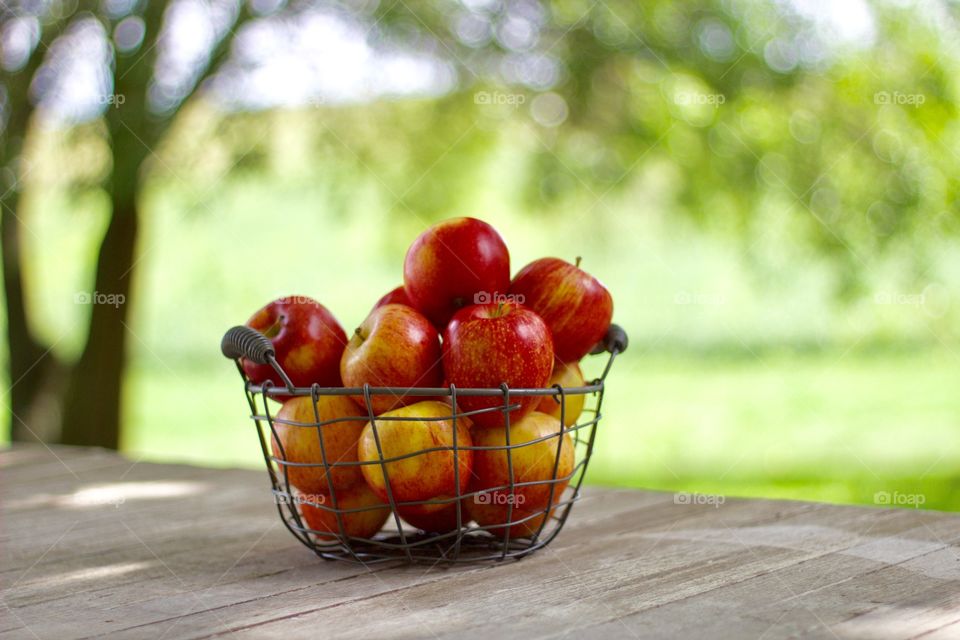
(458, 319)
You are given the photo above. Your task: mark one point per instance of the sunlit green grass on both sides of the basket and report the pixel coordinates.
(820, 426)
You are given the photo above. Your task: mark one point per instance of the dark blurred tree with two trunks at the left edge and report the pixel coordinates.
(91, 392)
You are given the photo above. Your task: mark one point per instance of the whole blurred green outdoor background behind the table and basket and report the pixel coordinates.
(769, 189)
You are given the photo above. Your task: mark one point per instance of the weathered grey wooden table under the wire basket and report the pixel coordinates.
(95, 544)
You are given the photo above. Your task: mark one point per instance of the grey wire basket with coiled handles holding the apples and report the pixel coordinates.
(520, 528)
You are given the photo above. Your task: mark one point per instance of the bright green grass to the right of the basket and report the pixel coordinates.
(818, 427)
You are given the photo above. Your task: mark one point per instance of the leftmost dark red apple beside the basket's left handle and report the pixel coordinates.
(307, 343)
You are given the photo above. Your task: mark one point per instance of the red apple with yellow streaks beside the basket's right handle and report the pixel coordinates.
(574, 304)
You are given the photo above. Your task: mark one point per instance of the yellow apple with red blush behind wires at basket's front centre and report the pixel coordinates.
(427, 476)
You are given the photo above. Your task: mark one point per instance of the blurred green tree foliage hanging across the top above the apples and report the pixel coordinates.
(746, 115)
